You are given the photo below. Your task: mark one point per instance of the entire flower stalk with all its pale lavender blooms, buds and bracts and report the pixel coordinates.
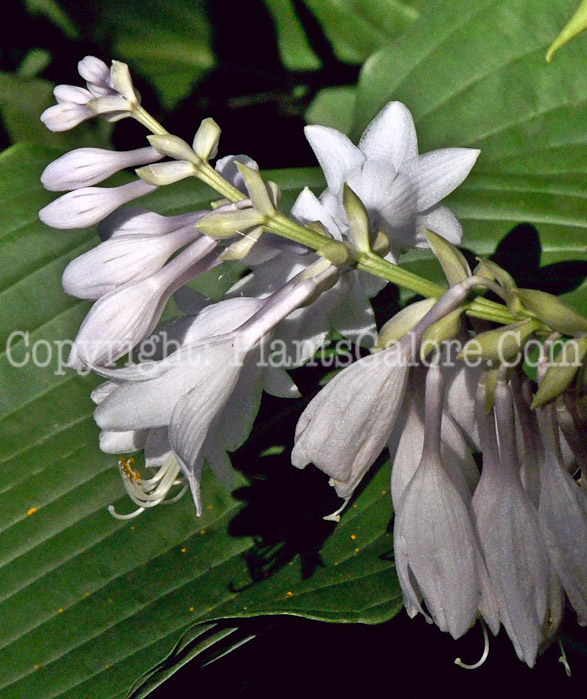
(500, 538)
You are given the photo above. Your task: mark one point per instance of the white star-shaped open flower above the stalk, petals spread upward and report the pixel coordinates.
(401, 190)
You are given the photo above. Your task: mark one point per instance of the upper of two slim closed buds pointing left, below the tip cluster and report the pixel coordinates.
(85, 167)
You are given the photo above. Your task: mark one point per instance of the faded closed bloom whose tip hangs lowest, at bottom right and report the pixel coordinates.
(526, 590)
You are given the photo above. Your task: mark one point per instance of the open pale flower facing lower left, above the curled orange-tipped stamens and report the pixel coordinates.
(206, 394)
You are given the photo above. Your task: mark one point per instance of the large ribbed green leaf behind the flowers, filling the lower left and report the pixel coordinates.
(89, 602)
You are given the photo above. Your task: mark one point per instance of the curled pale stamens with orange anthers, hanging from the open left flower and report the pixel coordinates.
(152, 491)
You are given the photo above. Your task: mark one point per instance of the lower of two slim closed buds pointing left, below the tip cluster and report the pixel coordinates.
(86, 206)
